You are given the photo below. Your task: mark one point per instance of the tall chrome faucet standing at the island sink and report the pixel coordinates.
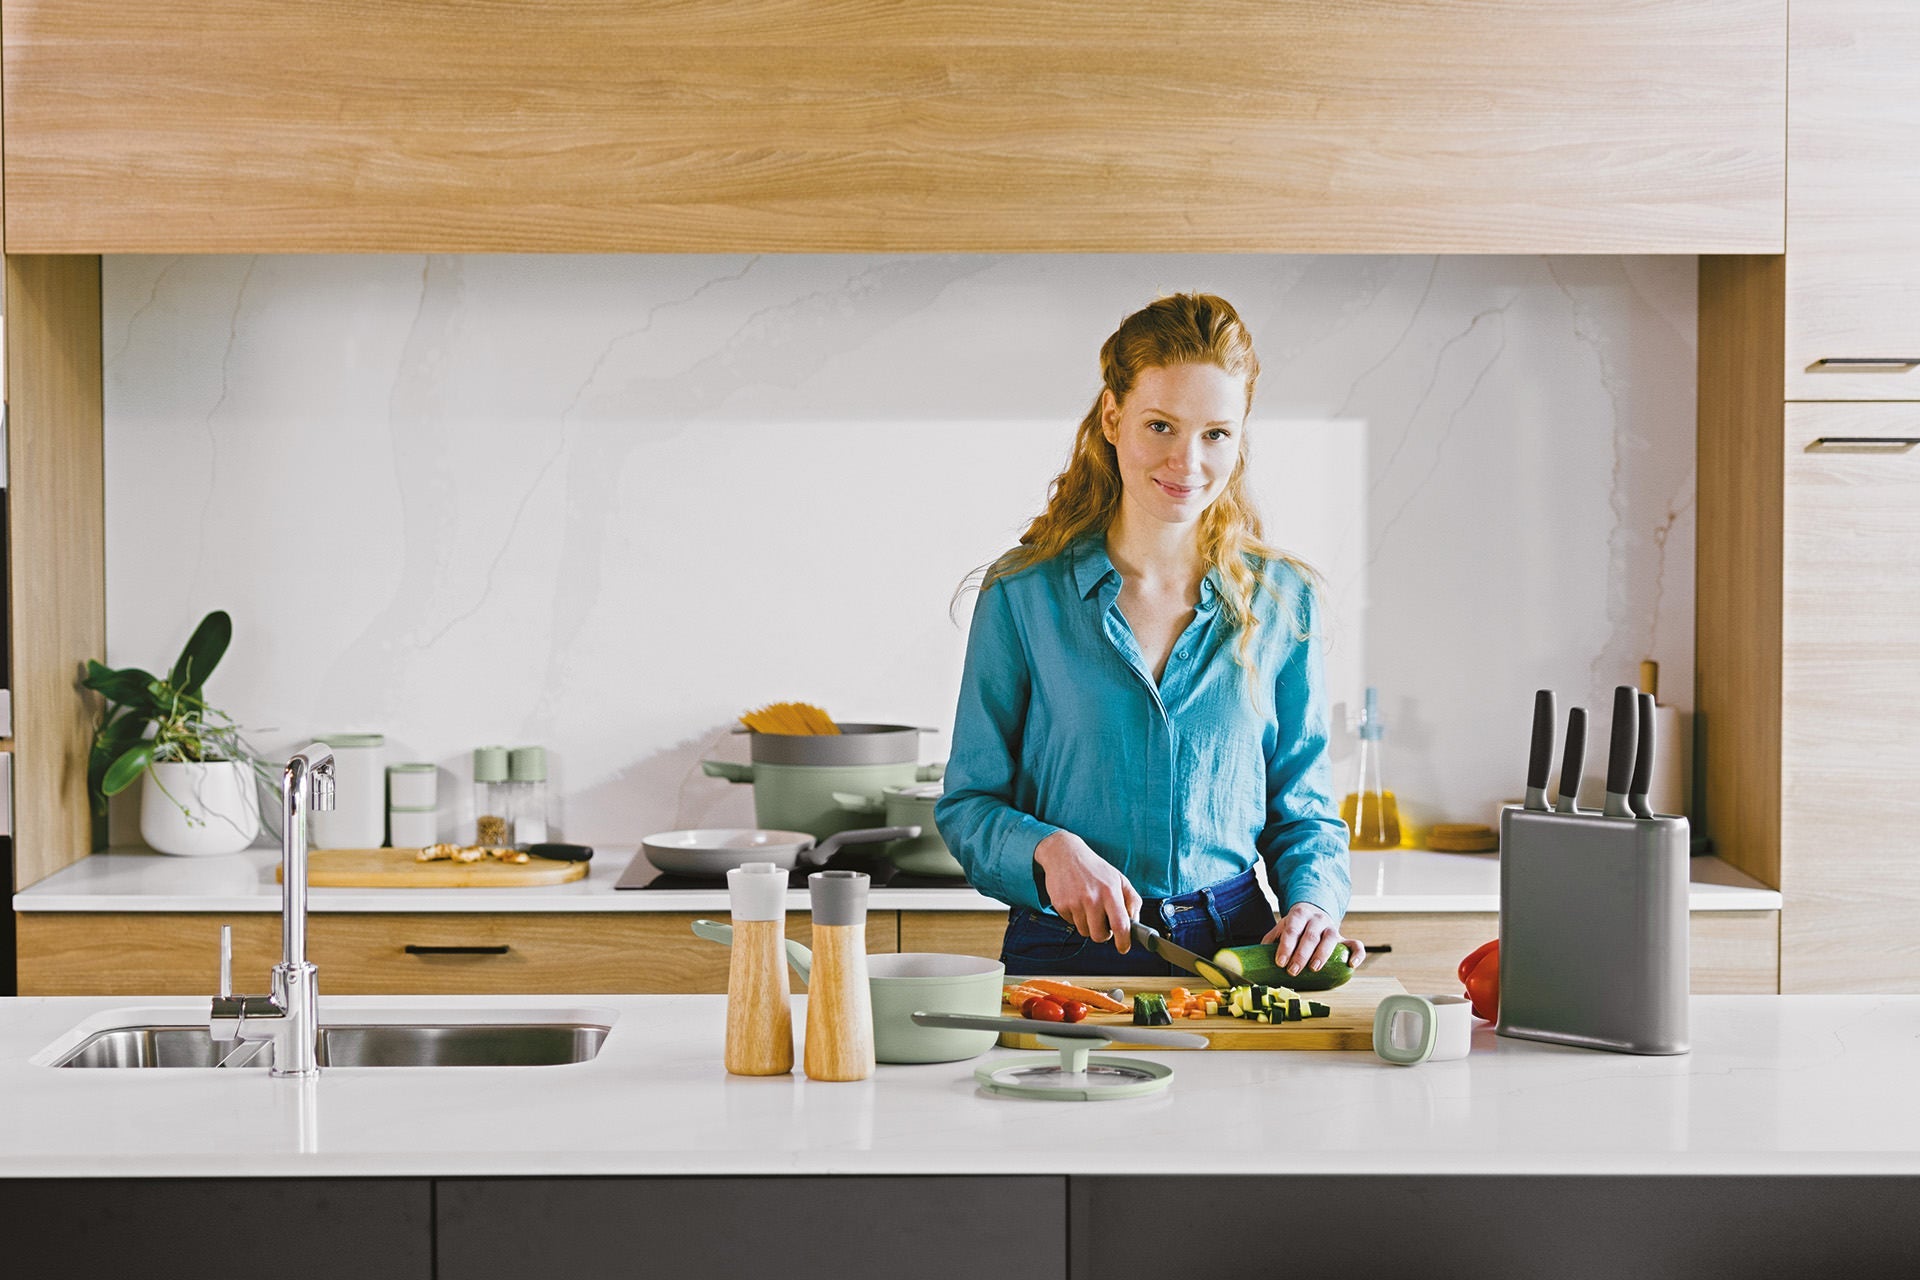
(289, 1018)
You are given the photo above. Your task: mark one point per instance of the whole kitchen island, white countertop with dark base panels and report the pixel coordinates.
(1788, 1137)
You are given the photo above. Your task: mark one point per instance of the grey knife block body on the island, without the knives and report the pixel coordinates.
(1595, 932)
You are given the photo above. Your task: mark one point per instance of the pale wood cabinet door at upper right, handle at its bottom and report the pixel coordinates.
(1854, 201)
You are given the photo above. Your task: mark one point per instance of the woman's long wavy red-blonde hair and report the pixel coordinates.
(1180, 329)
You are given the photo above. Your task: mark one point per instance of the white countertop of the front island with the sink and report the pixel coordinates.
(1775, 1085)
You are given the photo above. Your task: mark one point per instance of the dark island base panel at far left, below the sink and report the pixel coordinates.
(289, 1229)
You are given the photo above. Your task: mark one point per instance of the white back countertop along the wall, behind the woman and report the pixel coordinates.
(145, 882)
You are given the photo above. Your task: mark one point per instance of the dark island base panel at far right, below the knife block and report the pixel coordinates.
(1499, 1227)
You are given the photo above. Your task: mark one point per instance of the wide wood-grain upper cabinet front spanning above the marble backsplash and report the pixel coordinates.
(855, 126)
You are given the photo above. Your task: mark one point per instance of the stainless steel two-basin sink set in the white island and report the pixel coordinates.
(377, 1045)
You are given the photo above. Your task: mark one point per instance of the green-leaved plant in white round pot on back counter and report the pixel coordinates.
(197, 772)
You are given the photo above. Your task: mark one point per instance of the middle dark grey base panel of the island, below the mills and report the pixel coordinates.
(725, 1229)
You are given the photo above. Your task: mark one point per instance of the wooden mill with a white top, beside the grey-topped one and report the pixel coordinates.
(759, 1016)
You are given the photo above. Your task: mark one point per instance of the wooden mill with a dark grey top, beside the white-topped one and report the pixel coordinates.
(840, 1007)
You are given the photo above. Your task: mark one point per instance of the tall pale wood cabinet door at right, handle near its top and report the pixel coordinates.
(1850, 721)
